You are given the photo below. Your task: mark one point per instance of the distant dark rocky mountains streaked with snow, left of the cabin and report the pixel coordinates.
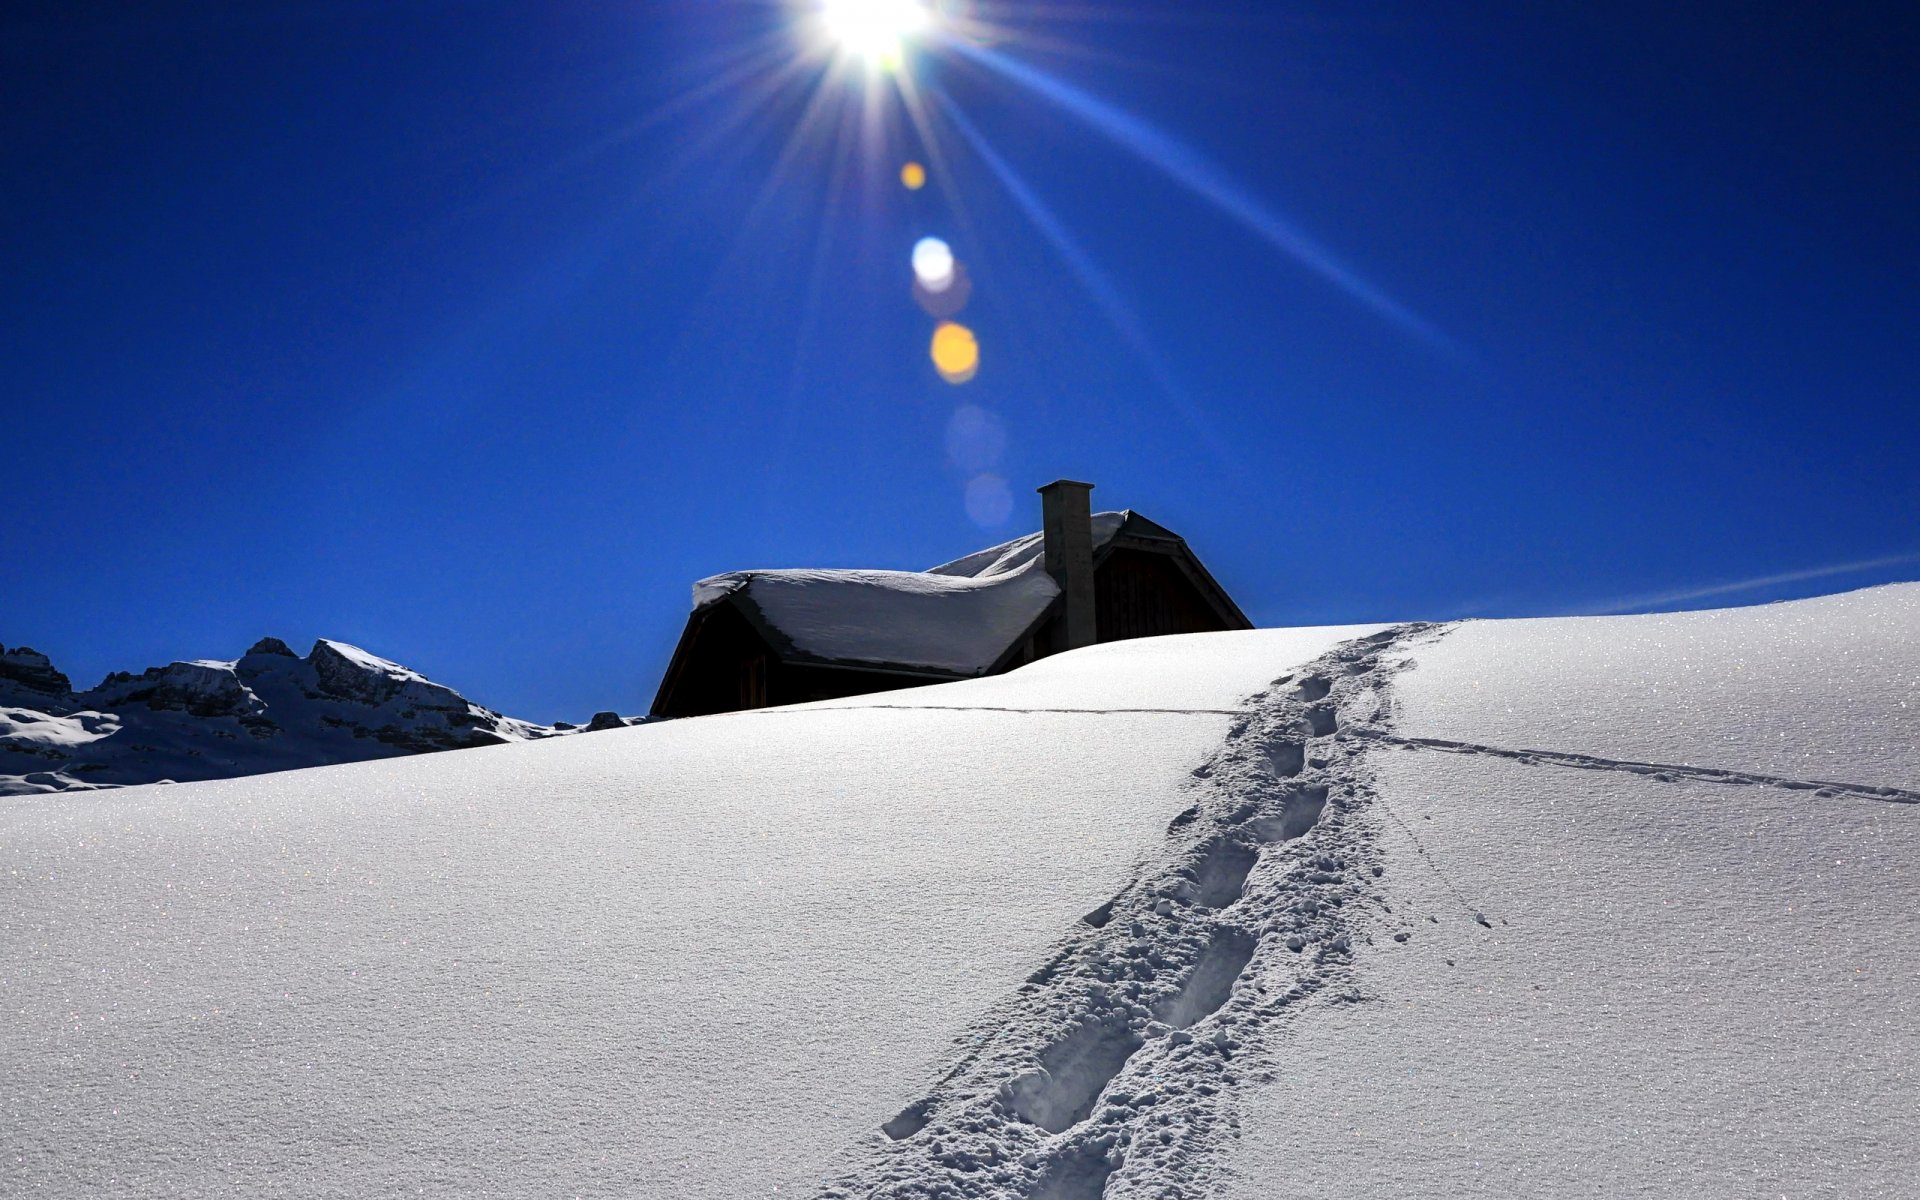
(212, 721)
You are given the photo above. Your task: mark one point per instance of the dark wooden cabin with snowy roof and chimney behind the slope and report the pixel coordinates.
(767, 638)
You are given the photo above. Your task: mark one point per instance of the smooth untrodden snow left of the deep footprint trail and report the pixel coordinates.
(690, 959)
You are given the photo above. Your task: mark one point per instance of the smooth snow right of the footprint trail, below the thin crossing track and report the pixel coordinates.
(1689, 990)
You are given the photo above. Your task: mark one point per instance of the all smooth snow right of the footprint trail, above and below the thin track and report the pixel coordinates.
(1687, 988)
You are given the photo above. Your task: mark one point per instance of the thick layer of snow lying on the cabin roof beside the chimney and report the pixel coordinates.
(957, 617)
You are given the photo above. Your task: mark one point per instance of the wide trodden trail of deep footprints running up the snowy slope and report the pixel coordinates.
(1111, 1072)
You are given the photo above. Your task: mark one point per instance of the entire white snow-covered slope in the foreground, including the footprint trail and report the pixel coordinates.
(1581, 907)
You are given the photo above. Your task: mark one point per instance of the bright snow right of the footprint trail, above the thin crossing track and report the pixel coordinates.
(1825, 688)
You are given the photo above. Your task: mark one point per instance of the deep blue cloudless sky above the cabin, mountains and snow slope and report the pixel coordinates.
(475, 333)
